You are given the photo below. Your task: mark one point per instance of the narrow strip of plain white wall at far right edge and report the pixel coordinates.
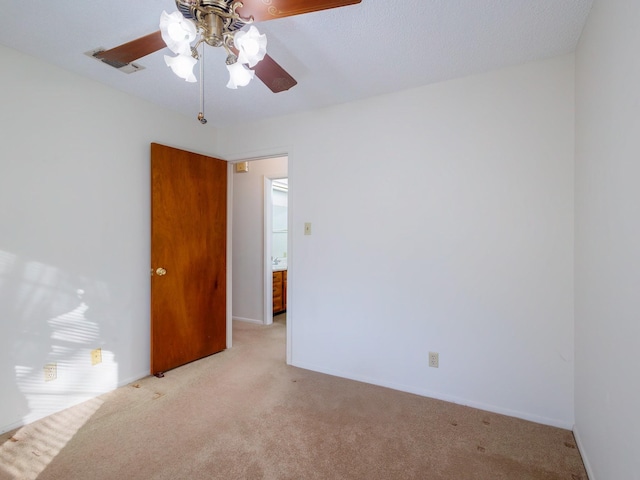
(608, 241)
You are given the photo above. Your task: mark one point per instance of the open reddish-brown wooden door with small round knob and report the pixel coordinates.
(188, 257)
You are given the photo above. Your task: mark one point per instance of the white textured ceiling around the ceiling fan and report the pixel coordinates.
(336, 55)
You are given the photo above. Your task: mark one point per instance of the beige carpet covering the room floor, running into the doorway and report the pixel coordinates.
(244, 414)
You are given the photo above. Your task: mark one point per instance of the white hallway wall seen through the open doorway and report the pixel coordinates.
(248, 237)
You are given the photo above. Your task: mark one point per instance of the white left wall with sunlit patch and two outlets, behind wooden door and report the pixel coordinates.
(74, 190)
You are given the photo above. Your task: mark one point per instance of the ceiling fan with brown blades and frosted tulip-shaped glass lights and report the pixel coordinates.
(219, 23)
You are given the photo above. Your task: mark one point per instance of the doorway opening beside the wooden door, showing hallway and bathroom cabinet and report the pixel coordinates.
(260, 240)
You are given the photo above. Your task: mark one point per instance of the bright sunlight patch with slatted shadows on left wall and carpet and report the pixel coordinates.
(48, 348)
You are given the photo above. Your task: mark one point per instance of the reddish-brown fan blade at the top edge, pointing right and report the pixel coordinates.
(262, 10)
